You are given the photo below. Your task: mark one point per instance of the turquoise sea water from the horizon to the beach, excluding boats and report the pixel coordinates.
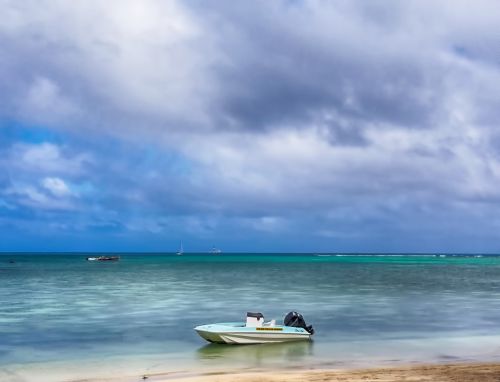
(385, 308)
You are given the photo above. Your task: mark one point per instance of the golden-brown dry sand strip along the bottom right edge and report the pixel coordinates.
(482, 372)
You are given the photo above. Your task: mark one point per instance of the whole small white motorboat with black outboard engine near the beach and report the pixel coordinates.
(256, 331)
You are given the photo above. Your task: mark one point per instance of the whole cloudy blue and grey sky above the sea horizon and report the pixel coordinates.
(267, 126)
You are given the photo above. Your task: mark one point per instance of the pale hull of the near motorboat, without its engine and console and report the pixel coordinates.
(236, 333)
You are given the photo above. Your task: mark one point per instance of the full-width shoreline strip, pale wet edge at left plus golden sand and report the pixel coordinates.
(456, 371)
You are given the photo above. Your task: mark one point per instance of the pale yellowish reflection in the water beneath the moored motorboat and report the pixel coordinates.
(257, 355)
